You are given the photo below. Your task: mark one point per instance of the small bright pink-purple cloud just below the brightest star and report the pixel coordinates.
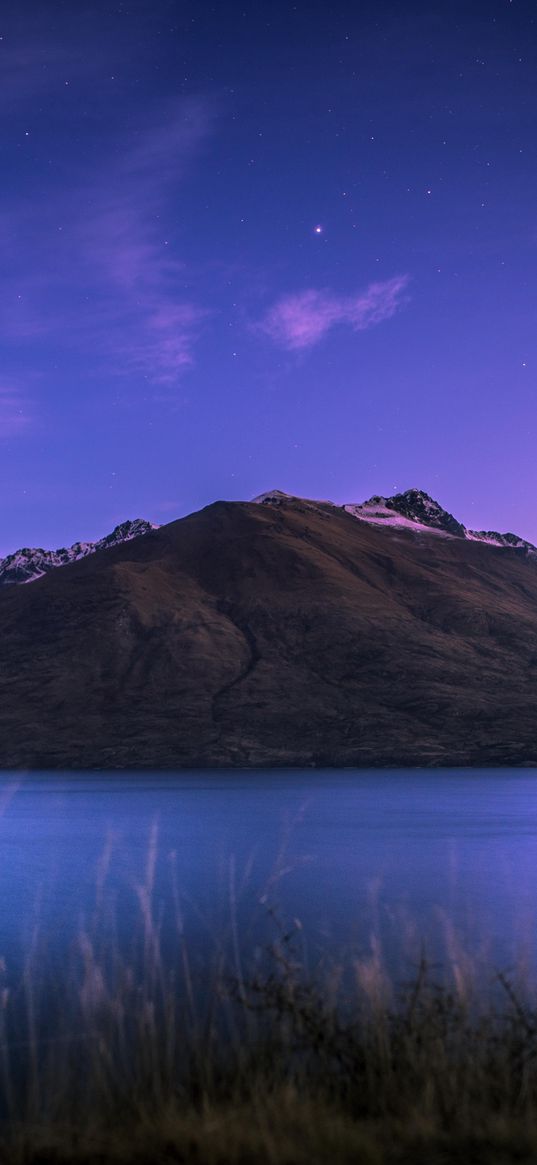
(301, 321)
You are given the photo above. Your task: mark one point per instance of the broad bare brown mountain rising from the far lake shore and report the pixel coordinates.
(282, 633)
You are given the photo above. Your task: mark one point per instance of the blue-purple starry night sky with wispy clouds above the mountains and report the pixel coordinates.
(265, 245)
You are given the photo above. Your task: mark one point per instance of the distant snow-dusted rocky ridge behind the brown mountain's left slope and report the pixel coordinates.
(30, 564)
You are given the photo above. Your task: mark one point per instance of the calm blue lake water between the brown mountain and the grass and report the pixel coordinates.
(409, 857)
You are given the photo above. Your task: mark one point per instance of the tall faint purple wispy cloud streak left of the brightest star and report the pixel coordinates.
(129, 253)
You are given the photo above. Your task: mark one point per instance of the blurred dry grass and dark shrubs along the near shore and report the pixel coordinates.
(122, 1060)
